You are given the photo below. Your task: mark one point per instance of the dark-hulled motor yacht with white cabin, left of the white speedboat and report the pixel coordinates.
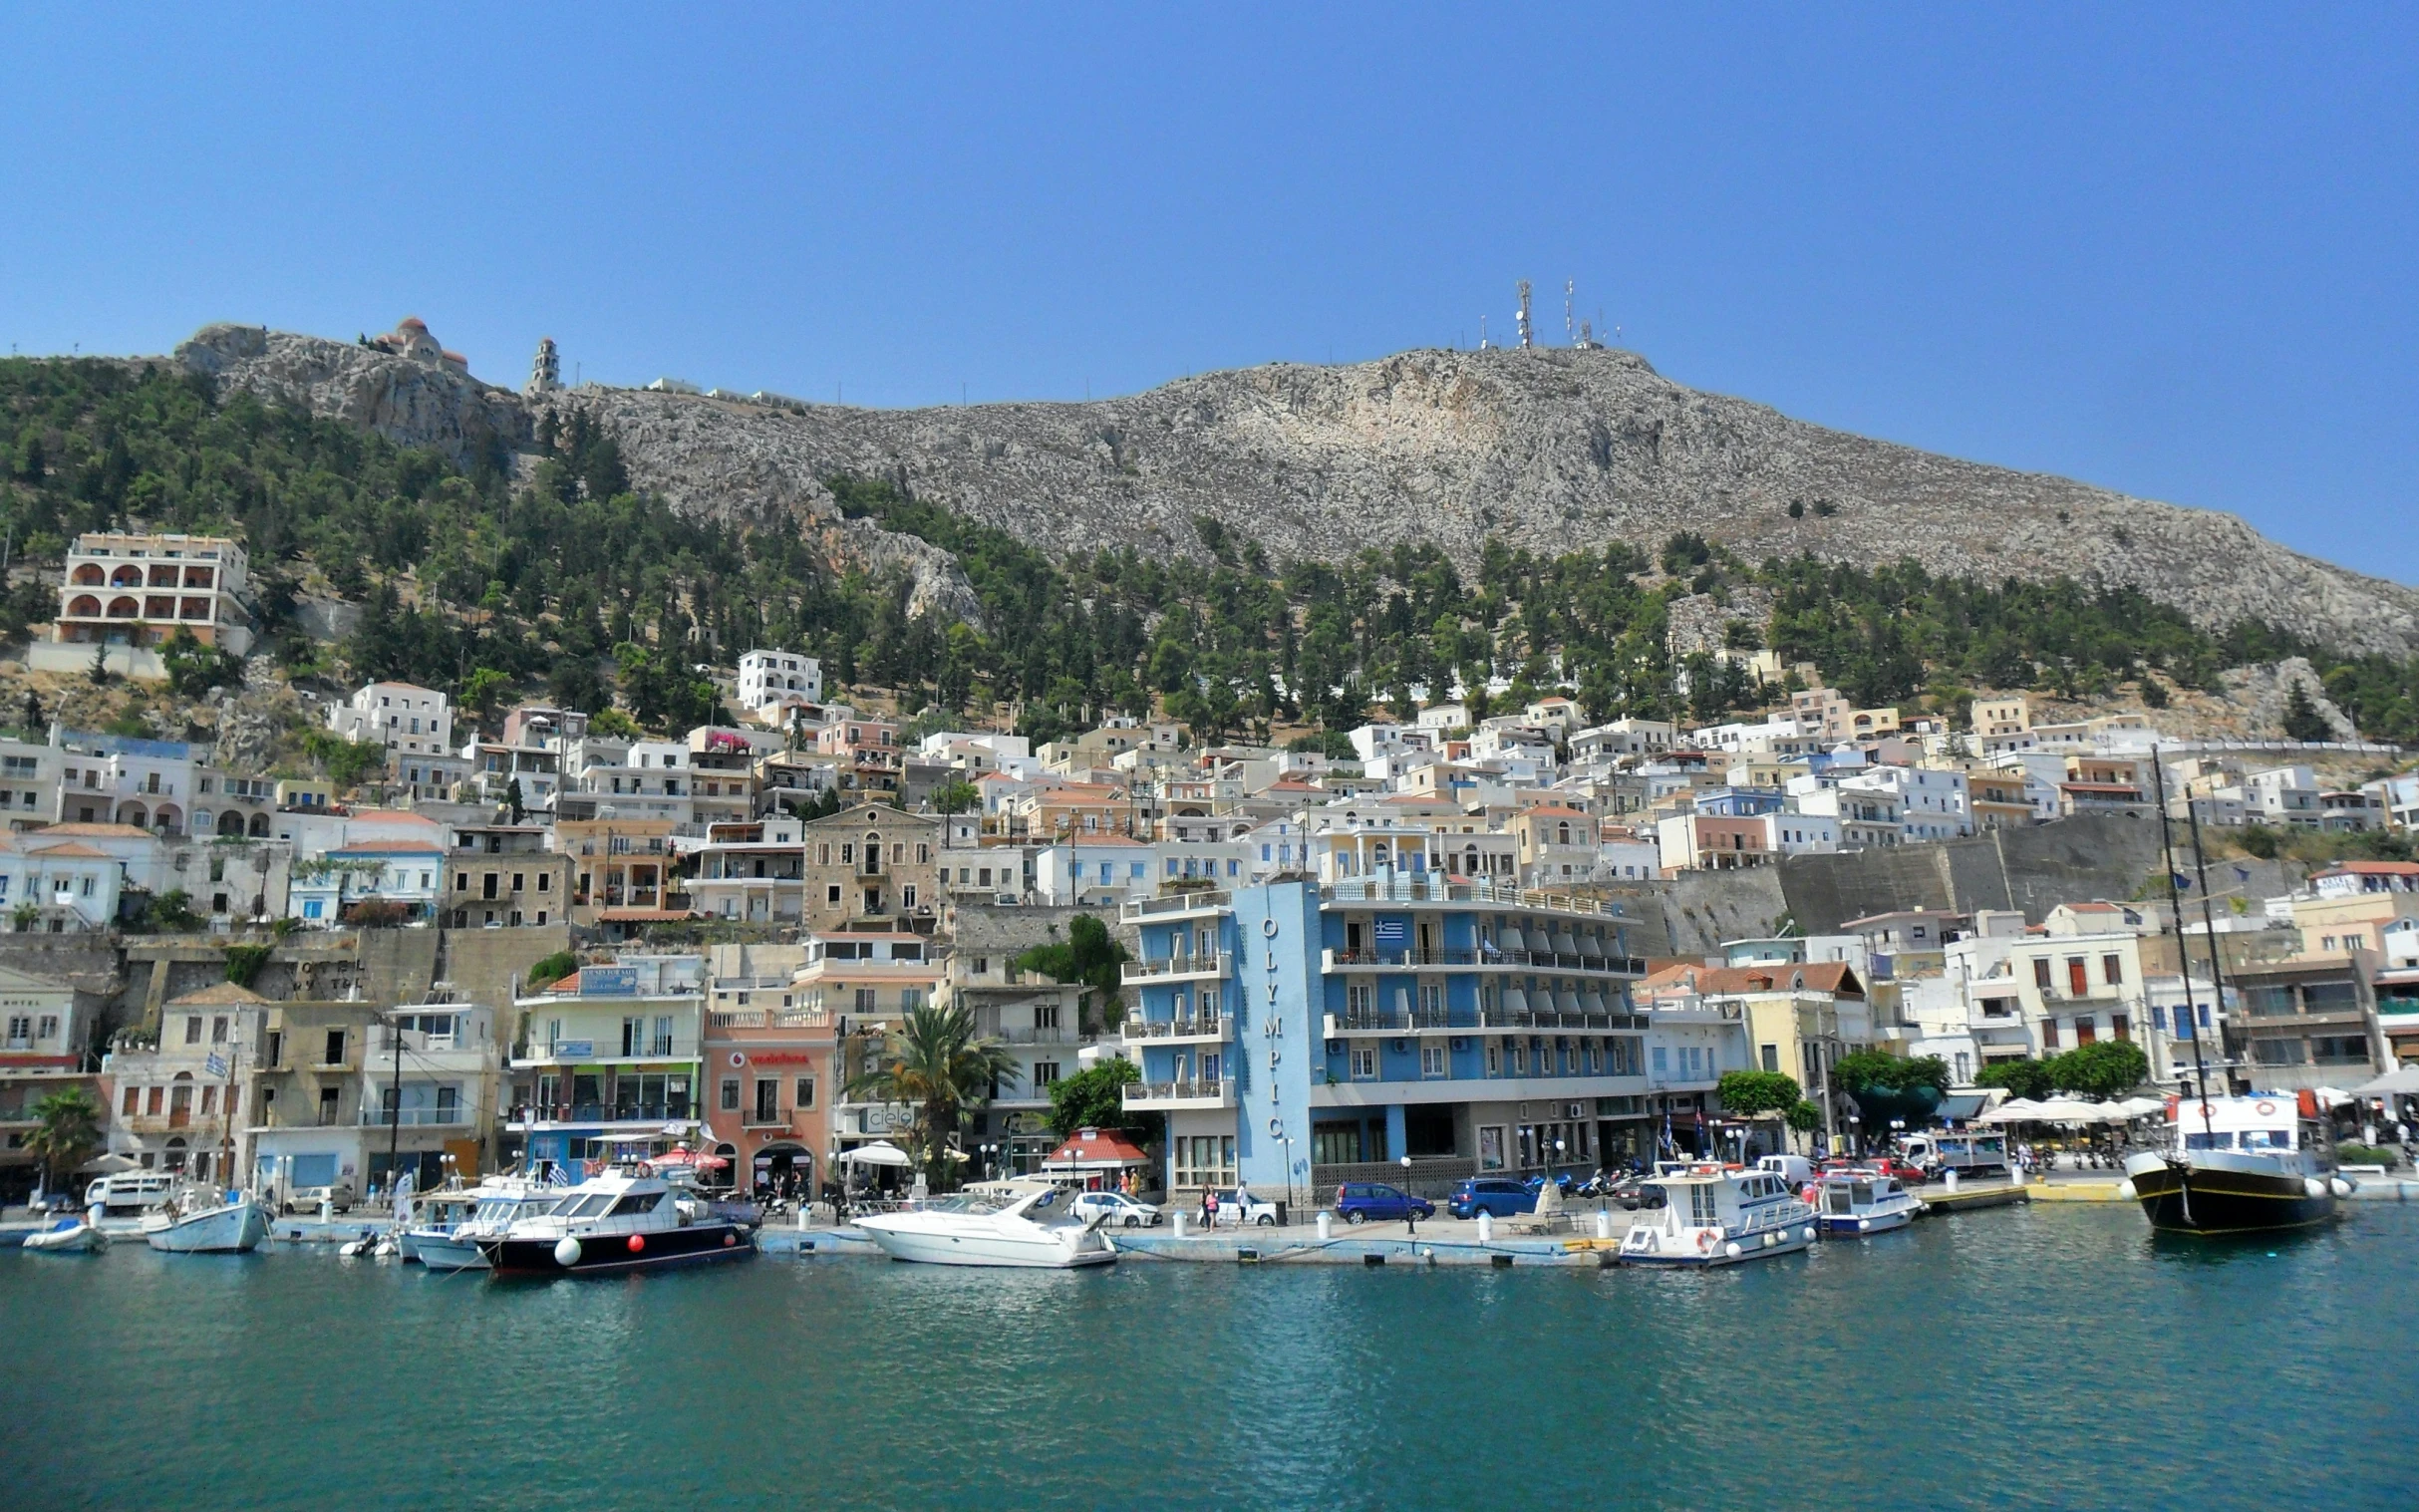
(618, 1223)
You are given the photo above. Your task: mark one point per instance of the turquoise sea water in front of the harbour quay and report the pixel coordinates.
(2016, 1358)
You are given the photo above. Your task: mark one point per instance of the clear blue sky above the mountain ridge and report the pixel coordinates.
(2161, 250)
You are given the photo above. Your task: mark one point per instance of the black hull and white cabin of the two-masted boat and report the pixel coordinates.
(2239, 1167)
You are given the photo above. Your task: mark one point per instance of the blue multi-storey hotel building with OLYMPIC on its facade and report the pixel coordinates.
(1322, 1027)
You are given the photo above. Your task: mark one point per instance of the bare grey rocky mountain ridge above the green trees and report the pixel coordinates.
(1547, 449)
